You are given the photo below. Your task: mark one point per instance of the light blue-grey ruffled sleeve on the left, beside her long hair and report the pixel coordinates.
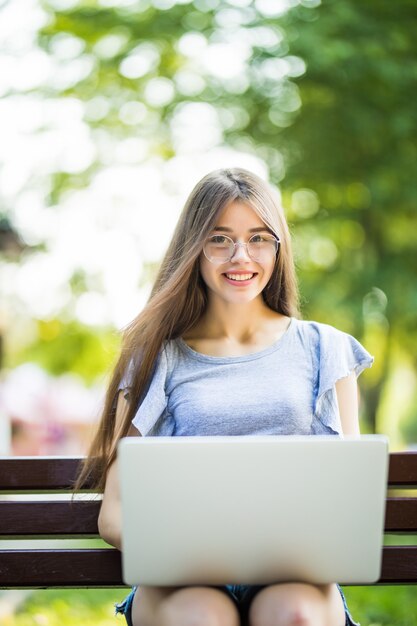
(152, 416)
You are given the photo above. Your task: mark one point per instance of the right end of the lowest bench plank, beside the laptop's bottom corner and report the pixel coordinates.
(399, 565)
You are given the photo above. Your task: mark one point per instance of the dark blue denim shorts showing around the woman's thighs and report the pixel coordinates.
(242, 596)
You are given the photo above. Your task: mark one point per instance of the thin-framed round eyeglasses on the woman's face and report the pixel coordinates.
(260, 247)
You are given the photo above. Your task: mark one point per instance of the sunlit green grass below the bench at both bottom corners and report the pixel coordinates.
(371, 606)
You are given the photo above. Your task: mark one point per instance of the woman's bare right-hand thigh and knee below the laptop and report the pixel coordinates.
(298, 603)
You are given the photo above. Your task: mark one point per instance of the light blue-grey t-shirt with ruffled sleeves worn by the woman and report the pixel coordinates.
(285, 389)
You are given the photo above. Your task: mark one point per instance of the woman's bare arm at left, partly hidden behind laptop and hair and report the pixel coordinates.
(110, 517)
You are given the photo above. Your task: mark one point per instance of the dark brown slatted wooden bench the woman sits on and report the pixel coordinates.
(50, 518)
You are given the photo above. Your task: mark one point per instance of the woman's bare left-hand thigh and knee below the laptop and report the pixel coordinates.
(153, 606)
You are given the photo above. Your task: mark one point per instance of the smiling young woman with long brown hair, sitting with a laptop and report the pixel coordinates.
(219, 350)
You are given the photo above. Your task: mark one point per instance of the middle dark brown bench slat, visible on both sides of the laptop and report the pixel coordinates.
(80, 517)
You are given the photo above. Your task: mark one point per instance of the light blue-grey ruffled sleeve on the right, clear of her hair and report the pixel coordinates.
(338, 354)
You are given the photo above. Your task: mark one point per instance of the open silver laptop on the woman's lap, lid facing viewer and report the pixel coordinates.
(252, 509)
